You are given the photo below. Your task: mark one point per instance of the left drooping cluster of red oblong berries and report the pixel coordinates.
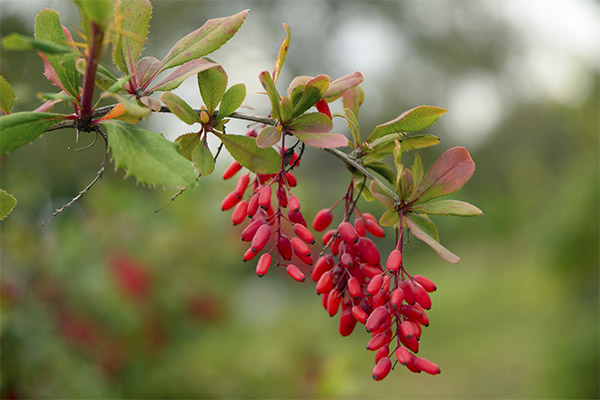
(265, 229)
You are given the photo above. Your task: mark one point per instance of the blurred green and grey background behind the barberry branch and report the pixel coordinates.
(112, 300)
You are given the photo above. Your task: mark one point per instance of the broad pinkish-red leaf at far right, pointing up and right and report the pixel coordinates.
(447, 174)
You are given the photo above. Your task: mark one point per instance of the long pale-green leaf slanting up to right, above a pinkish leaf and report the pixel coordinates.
(204, 40)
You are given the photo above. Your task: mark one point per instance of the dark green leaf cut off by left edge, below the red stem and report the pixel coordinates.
(18, 129)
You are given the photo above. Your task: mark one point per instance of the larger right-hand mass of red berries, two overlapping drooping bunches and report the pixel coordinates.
(388, 301)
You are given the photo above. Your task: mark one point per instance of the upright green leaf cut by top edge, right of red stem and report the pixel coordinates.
(132, 20)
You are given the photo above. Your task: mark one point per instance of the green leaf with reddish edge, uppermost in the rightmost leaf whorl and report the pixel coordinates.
(416, 119)
